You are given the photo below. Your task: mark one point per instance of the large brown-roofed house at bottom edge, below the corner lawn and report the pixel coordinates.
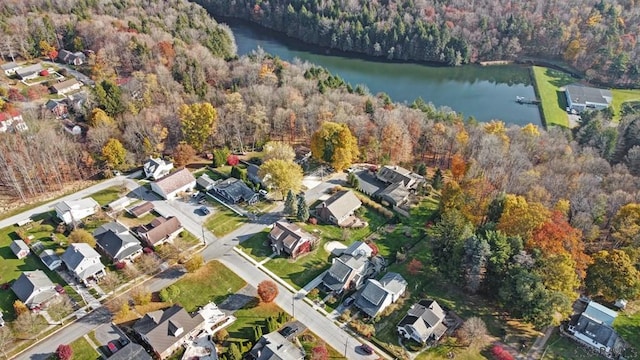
(166, 330)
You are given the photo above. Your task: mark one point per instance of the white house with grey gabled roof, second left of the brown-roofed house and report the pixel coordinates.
(83, 262)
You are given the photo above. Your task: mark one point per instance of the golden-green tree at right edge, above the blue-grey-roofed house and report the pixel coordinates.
(613, 275)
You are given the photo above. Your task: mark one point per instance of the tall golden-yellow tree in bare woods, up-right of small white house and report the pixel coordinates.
(197, 122)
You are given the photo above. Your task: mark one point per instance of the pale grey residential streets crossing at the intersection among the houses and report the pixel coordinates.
(217, 248)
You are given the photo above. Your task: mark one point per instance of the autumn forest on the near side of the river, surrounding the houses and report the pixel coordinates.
(527, 217)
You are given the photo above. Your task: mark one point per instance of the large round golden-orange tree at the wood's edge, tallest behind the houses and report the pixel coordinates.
(334, 144)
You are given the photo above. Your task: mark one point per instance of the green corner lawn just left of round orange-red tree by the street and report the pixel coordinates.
(213, 282)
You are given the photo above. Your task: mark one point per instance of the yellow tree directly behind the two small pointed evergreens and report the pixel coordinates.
(281, 175)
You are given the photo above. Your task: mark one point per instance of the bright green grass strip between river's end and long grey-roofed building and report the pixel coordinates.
(548, 83)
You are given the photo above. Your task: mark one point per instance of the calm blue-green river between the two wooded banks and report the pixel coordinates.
(484, 92)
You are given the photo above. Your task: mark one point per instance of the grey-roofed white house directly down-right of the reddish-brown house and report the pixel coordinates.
(350, 269)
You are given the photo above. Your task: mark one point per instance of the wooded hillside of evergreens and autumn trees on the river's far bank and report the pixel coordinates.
(597, 37)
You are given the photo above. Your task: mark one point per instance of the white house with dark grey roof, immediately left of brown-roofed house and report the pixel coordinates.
(116, 242)
